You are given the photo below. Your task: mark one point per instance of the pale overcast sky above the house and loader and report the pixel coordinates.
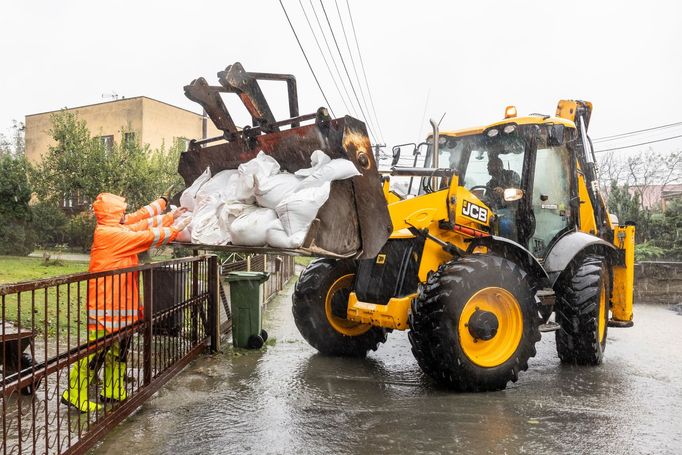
(468, 59)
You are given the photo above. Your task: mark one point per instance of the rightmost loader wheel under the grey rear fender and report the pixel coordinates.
(582, 310)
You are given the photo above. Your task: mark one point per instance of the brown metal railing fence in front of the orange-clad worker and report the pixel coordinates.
(44, 334)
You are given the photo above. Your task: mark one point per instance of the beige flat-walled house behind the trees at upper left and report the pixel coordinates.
(143, 119)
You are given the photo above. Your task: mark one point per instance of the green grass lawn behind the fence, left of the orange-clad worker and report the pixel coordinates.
(39, 306)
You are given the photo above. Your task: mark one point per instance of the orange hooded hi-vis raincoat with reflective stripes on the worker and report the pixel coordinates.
(114, 301)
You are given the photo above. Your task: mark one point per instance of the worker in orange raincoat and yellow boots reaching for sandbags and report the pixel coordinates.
(113, 300)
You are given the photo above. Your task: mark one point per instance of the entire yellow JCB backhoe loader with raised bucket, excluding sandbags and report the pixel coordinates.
(506, 228)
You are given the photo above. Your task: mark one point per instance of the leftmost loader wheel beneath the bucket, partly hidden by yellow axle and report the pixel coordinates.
(326, 283)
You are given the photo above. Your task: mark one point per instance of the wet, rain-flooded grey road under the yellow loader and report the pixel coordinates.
(288, 399)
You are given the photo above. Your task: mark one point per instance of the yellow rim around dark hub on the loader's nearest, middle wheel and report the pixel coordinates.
(498, 349)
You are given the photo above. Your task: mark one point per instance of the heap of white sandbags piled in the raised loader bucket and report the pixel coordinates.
(258, 204)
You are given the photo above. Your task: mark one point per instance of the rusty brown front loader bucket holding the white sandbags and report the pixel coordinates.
(354, 222)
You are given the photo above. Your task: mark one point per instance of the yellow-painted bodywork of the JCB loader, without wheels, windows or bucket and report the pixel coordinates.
(440, 213)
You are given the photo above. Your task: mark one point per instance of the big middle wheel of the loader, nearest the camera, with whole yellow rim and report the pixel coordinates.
(451, 323)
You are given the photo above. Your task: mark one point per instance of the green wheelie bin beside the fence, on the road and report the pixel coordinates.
(247, 331)
